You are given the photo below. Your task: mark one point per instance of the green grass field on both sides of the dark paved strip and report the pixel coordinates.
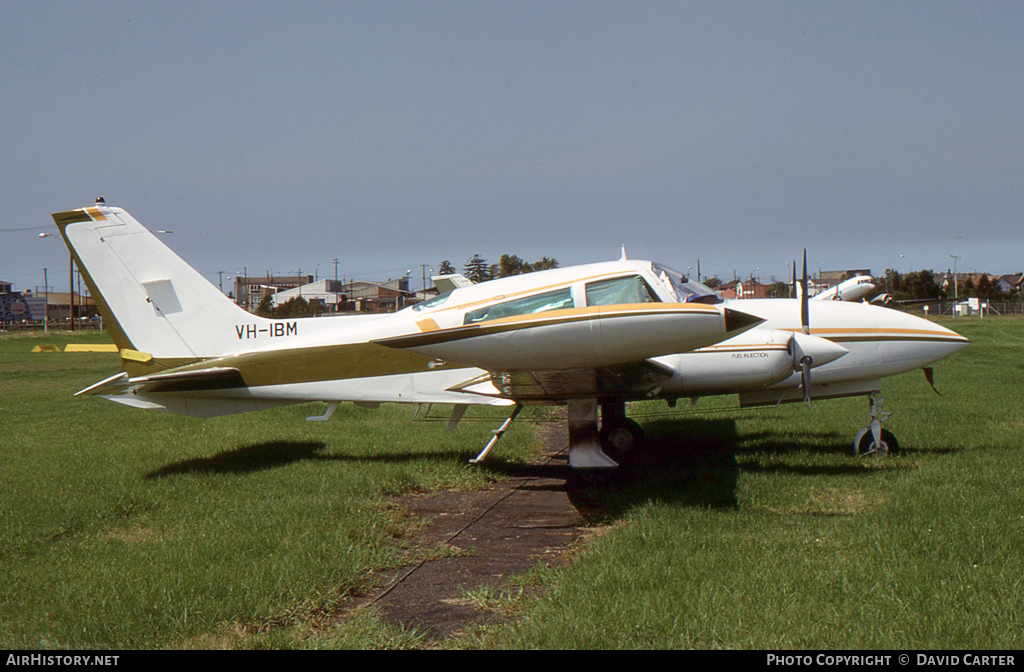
(742, 529)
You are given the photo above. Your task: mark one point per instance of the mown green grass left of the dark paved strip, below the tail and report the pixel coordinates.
(130, 529)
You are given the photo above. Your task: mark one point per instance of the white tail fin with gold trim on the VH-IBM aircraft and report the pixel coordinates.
(152, 302)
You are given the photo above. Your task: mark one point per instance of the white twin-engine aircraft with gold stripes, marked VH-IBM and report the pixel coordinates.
(590, 338)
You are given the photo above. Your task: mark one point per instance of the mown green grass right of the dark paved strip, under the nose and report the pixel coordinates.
(759, 530)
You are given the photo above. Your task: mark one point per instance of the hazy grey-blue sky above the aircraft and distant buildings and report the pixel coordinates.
(273, 136)
